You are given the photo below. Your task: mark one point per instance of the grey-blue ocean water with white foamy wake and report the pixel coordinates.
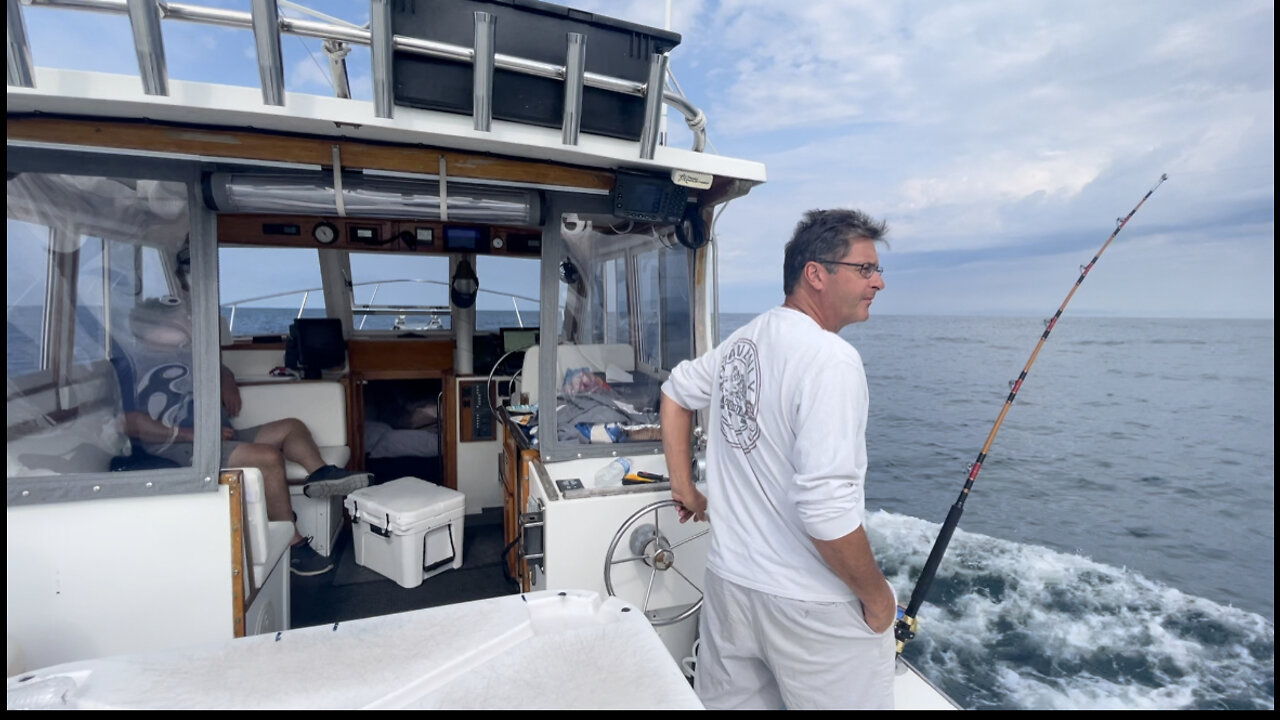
(1118, 546)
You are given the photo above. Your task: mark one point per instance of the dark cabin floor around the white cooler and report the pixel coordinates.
(350, 591)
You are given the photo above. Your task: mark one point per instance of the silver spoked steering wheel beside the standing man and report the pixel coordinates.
(651, 548)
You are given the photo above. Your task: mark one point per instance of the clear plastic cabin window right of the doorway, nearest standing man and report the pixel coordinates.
(624, 322)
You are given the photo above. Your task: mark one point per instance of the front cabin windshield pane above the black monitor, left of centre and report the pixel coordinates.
(264, 289)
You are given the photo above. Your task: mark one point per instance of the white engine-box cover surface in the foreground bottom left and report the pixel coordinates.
(570, 650)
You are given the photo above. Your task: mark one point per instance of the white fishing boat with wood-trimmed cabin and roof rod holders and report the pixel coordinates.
(505, 142)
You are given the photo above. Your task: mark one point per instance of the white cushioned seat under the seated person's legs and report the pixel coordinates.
(322, 405)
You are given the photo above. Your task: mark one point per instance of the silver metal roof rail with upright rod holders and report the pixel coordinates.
(268, 26)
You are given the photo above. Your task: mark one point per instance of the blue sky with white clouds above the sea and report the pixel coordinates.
(1000, 140)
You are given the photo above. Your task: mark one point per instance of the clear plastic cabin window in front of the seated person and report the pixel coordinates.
(99, 334)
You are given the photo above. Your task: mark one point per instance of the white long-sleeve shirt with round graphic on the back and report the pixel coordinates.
(787, 455)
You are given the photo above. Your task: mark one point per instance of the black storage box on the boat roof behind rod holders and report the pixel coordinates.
(533, 30)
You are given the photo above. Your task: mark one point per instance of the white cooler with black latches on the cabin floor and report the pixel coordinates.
(408, 530)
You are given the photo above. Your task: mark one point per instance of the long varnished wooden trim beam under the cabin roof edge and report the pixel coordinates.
(281, 148)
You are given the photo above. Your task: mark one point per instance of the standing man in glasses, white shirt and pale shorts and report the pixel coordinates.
(797, 613)
